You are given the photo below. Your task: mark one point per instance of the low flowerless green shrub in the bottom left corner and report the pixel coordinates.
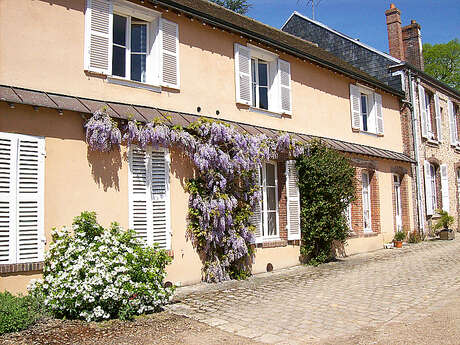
(18, 312)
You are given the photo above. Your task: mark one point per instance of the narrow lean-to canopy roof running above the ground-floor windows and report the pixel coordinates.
(37, 98)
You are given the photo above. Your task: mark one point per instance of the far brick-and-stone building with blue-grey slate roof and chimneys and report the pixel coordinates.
(429, 115)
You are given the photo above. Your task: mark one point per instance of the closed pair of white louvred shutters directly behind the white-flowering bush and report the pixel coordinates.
(149, 195)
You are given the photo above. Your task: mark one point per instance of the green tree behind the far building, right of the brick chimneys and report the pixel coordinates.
(442, 61)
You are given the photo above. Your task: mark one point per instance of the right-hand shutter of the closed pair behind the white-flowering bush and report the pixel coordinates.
(161, 229)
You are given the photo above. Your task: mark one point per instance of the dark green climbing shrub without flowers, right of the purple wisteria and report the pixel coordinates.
(327, 186)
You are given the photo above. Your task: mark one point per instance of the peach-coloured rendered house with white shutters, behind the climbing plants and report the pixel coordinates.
(177, 60)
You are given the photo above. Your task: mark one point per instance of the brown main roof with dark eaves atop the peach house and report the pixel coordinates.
(221, 17)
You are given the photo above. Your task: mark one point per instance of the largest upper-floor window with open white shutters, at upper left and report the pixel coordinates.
(131, 44)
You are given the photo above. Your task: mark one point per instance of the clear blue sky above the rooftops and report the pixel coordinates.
(365, 19)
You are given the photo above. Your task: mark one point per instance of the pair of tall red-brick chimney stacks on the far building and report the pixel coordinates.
(405, 43)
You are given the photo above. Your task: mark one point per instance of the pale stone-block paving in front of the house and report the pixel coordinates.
(342, 298)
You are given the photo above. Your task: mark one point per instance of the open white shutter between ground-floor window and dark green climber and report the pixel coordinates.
(293, 201)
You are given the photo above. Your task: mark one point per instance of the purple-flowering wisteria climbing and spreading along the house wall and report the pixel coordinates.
(225, 191)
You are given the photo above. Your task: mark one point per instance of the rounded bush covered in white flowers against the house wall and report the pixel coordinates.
(96, 273)
